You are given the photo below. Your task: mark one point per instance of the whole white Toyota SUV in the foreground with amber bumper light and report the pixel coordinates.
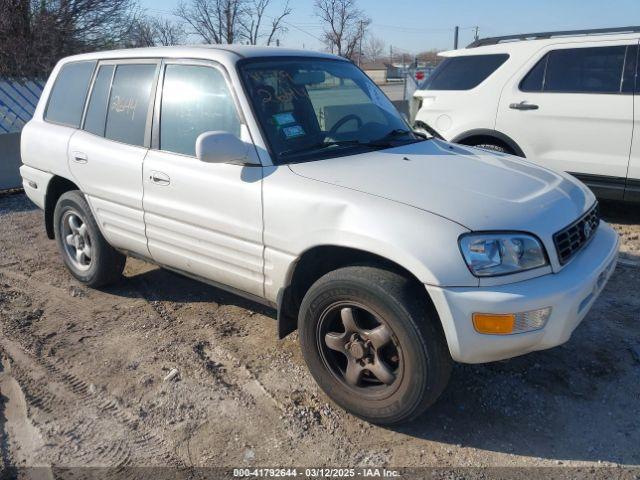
(288, 177)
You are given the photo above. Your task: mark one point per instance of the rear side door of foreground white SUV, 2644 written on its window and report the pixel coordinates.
(106, 155)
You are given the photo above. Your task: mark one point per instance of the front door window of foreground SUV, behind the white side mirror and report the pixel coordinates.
(195, 99)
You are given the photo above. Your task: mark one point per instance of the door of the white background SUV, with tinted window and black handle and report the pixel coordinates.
(571, 108)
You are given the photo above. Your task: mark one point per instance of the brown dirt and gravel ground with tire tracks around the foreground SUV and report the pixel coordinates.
(82, 378)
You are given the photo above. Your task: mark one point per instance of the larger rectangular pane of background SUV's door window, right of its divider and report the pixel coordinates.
(585, 70)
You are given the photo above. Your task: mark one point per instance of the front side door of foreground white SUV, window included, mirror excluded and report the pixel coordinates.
(204, 219)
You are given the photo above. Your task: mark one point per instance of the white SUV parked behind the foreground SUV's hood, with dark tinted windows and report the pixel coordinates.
(565, 100)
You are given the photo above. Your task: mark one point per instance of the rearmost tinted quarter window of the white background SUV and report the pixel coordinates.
(464, 73)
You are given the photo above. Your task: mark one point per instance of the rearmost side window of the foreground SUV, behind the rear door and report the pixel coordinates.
(69, 93)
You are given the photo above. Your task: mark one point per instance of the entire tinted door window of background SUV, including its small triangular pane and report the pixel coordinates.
(580, 70)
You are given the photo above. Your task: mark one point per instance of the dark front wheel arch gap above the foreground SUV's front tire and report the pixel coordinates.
(316, 262)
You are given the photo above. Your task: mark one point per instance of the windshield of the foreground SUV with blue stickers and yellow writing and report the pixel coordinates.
(318, 108)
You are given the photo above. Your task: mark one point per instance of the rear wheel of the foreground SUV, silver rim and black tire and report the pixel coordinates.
(103, 264)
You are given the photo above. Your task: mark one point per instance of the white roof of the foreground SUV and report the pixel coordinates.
(202, 51)
